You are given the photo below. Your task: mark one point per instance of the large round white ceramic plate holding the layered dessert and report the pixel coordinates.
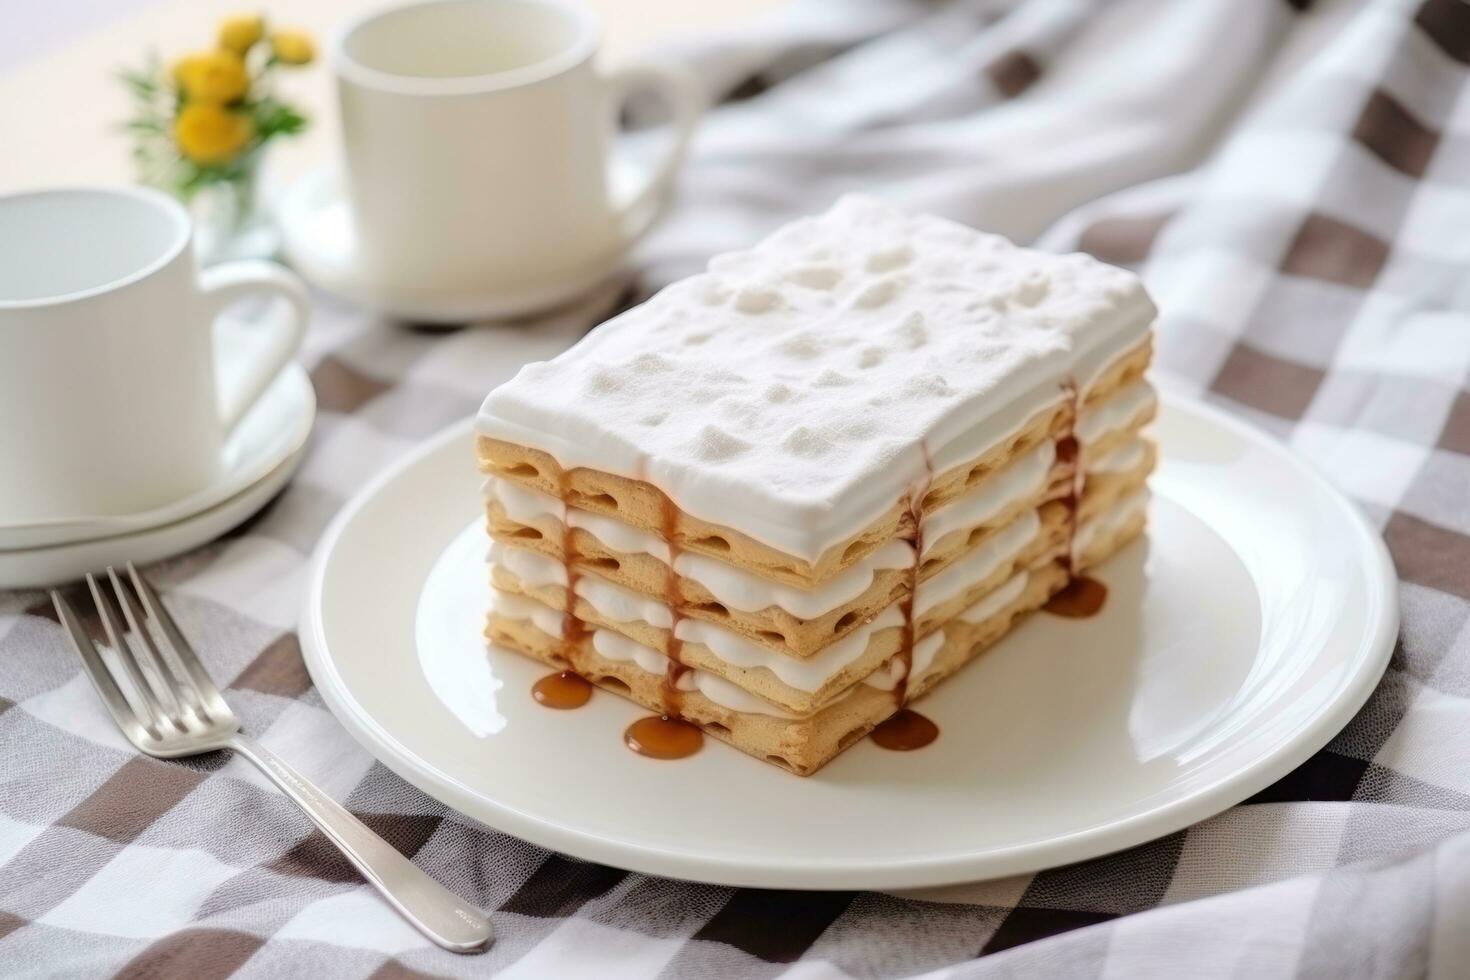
(1238, 638)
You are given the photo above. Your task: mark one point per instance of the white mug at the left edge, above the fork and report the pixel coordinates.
(112, 399)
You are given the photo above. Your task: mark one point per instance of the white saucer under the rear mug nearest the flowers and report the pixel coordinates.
(318, 242)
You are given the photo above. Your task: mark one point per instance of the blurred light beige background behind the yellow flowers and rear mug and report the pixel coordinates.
(60, 109)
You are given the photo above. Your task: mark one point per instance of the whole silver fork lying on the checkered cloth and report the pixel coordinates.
(177, 710)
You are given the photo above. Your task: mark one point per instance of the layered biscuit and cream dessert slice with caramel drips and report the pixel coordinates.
(786, 497)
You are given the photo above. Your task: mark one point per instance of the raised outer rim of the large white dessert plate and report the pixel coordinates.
(1374, 653)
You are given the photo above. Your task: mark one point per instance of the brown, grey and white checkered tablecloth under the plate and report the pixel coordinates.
(1293, 181)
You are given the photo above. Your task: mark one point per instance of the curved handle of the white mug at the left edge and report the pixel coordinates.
(234, 281)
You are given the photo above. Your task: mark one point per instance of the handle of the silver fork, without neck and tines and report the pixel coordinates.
(433, 909)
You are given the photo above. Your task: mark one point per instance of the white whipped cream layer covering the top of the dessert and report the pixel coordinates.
(792, 392)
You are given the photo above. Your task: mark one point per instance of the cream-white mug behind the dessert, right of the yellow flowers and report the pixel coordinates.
(477, 151)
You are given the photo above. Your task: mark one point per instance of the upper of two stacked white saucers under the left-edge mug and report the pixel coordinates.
(273, 433)
